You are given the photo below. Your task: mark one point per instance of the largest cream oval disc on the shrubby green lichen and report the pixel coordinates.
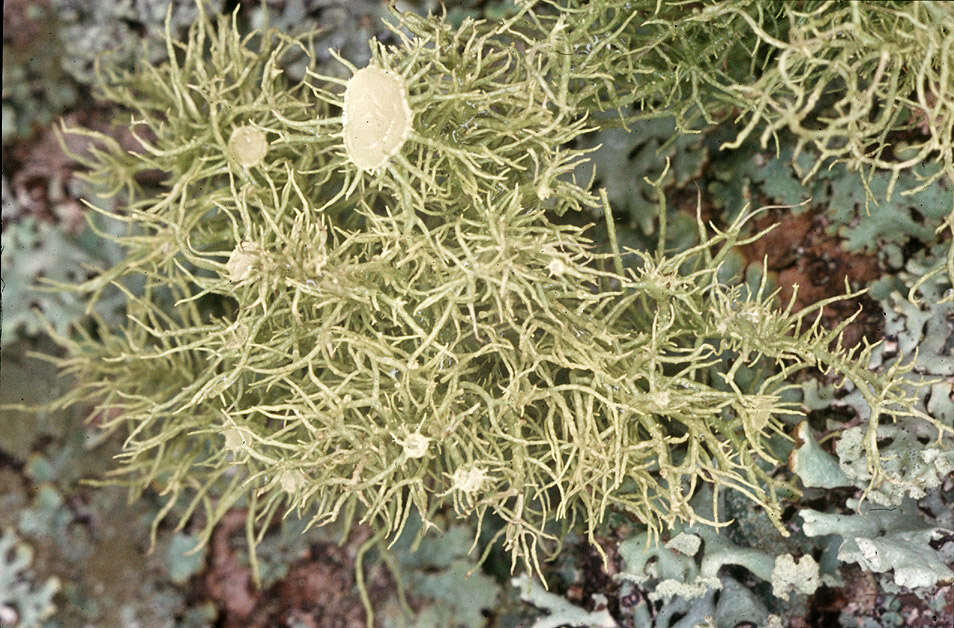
(377, 117)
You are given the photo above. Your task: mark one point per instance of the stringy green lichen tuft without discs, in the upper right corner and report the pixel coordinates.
(864, 83)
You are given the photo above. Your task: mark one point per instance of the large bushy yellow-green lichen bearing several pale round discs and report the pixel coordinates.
(351, 343)
